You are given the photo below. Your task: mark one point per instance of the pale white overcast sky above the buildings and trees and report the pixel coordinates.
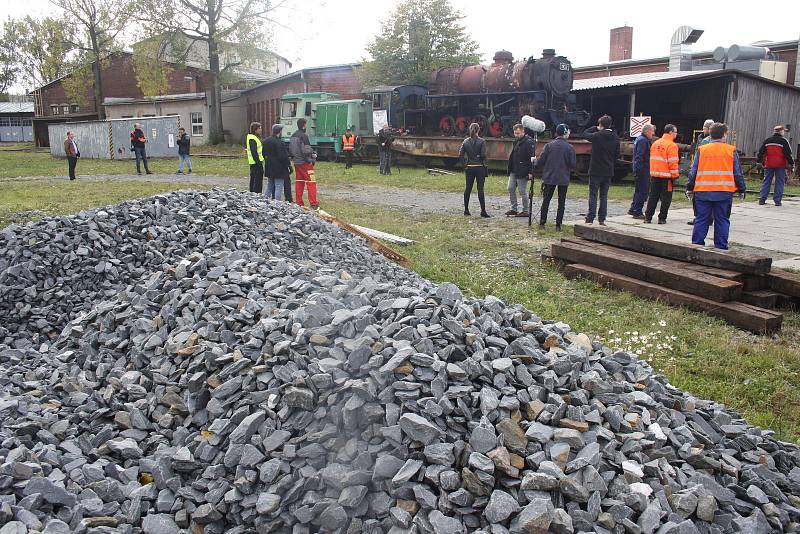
(325, 32)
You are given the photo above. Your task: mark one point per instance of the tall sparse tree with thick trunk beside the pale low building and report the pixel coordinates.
(220, 35)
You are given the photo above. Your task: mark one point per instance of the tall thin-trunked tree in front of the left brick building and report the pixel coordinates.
(98, 25)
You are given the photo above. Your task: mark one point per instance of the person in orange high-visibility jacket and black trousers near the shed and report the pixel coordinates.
(664, 160)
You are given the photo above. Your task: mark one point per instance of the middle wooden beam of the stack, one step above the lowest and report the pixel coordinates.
(661, 271)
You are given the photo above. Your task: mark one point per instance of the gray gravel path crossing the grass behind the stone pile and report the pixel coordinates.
(417, 200)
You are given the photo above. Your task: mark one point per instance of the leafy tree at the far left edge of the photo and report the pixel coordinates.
(39, 48)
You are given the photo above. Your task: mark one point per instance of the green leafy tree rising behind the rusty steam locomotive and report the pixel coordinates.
(419, 37)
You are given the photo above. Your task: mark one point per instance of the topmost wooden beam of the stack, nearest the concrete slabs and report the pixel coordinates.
(676, 251)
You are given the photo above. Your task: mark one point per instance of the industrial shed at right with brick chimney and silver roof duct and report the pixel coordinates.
(751, 88)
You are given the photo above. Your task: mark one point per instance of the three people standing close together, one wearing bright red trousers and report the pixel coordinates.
(272, 159)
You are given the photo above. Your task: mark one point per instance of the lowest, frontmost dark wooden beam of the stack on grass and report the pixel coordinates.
(738, 314)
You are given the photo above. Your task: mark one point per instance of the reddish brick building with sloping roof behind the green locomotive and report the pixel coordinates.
(263, 101)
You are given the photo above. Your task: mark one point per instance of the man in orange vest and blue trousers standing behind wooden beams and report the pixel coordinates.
(715, 176)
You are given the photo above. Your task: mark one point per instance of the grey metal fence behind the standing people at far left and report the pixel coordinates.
(110, 139)
